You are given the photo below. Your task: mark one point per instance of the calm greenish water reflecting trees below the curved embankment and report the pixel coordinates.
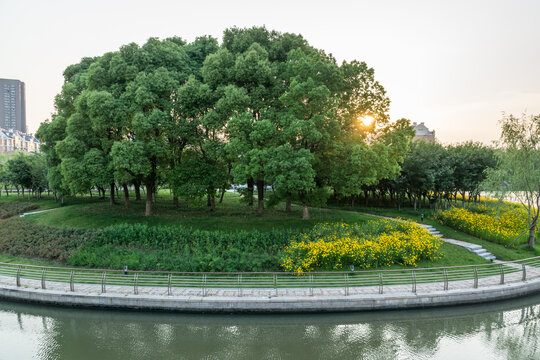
(504, 330)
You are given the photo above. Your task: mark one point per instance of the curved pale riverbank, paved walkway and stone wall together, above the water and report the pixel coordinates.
(455, 288)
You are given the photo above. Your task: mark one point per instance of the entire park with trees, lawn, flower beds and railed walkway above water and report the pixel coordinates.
(257, 173)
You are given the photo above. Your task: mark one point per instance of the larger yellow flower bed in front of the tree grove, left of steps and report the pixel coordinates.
(334, 246)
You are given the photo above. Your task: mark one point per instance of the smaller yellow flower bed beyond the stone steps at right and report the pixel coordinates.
(500, 225)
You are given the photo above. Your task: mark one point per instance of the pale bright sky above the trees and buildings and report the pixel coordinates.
(454, 65)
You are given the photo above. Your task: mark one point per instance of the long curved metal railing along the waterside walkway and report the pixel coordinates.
(268, 283)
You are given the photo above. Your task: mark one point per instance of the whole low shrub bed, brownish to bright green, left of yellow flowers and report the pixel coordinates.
(144, 247)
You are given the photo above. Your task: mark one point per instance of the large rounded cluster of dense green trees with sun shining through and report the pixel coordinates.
(261, 109)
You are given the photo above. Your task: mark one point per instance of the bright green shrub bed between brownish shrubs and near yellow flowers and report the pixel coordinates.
(144, 247)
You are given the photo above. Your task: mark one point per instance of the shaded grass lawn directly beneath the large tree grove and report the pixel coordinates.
(231, 215)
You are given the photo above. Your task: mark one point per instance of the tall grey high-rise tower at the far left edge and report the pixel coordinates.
(12, 105)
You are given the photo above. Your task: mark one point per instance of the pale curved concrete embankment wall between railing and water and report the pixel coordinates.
(281, 304)
